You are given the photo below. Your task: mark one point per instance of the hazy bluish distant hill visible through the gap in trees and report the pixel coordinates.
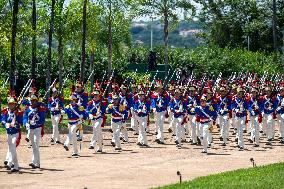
(183, 36)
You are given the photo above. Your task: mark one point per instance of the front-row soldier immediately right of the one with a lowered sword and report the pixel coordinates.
(97, 107)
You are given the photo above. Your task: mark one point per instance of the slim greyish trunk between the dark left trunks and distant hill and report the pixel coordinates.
(110, 40)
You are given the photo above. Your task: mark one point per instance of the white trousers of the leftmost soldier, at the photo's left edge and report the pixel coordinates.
(12, 153)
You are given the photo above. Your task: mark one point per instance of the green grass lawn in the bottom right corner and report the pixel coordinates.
(270, 177)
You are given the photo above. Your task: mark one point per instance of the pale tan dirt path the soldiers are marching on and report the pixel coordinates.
(134, 167)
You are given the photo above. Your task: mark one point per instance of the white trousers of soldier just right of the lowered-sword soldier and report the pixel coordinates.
(97, 137)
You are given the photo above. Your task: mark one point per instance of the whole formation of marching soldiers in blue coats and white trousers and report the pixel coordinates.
(190, 110)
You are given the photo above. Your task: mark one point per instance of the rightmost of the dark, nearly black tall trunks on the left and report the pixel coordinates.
(84, 29)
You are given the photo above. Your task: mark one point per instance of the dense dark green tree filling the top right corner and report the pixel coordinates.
(242, 23)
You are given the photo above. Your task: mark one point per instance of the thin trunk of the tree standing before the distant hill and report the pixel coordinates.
(166, 35)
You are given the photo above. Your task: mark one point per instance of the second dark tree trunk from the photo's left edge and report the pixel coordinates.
(33, 41)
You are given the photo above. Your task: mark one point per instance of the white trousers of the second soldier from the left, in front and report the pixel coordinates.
(35, 135)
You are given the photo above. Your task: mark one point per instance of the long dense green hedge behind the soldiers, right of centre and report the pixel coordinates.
(213, 60)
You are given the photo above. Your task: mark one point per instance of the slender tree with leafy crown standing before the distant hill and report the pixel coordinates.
(167, 11)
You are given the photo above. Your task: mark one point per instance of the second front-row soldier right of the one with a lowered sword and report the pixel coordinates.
(119, 115)
